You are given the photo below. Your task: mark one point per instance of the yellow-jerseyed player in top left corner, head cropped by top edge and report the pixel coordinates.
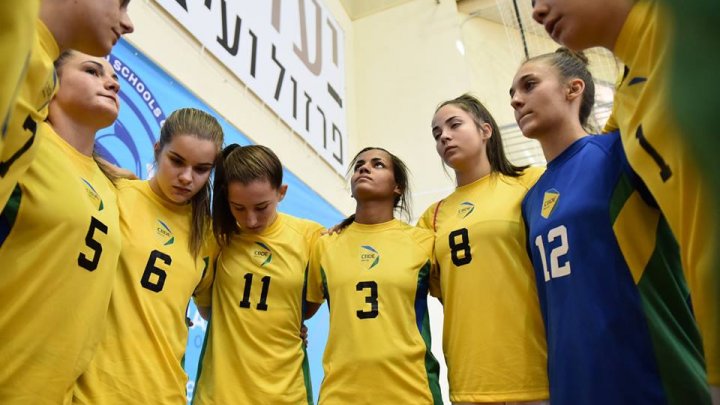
(91, 26)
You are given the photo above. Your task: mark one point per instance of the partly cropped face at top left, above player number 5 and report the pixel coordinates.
(97, 25)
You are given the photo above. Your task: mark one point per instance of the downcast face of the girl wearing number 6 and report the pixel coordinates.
(183, 167)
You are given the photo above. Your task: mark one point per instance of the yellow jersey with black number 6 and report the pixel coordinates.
(140, 358)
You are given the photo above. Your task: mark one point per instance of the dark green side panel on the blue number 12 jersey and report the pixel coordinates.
(674, 333)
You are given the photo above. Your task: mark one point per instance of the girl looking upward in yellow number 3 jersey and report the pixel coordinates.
(375, 277)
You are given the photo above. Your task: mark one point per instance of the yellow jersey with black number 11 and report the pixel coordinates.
(253, 352)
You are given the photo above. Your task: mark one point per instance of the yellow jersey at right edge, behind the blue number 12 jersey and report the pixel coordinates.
(656, 150)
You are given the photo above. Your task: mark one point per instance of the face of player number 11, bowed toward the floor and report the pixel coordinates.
(254, 205)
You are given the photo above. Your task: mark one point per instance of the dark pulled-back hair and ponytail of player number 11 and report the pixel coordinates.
(244, 164)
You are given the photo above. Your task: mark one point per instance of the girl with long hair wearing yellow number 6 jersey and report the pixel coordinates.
(165, 222)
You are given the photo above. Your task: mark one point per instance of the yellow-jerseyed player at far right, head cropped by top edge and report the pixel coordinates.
(638, 33)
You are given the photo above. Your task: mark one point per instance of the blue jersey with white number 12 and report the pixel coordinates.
(616, 307)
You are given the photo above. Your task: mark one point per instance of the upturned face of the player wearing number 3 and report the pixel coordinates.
(373, 177)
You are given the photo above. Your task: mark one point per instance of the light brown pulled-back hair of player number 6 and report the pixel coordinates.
(201, 125)
